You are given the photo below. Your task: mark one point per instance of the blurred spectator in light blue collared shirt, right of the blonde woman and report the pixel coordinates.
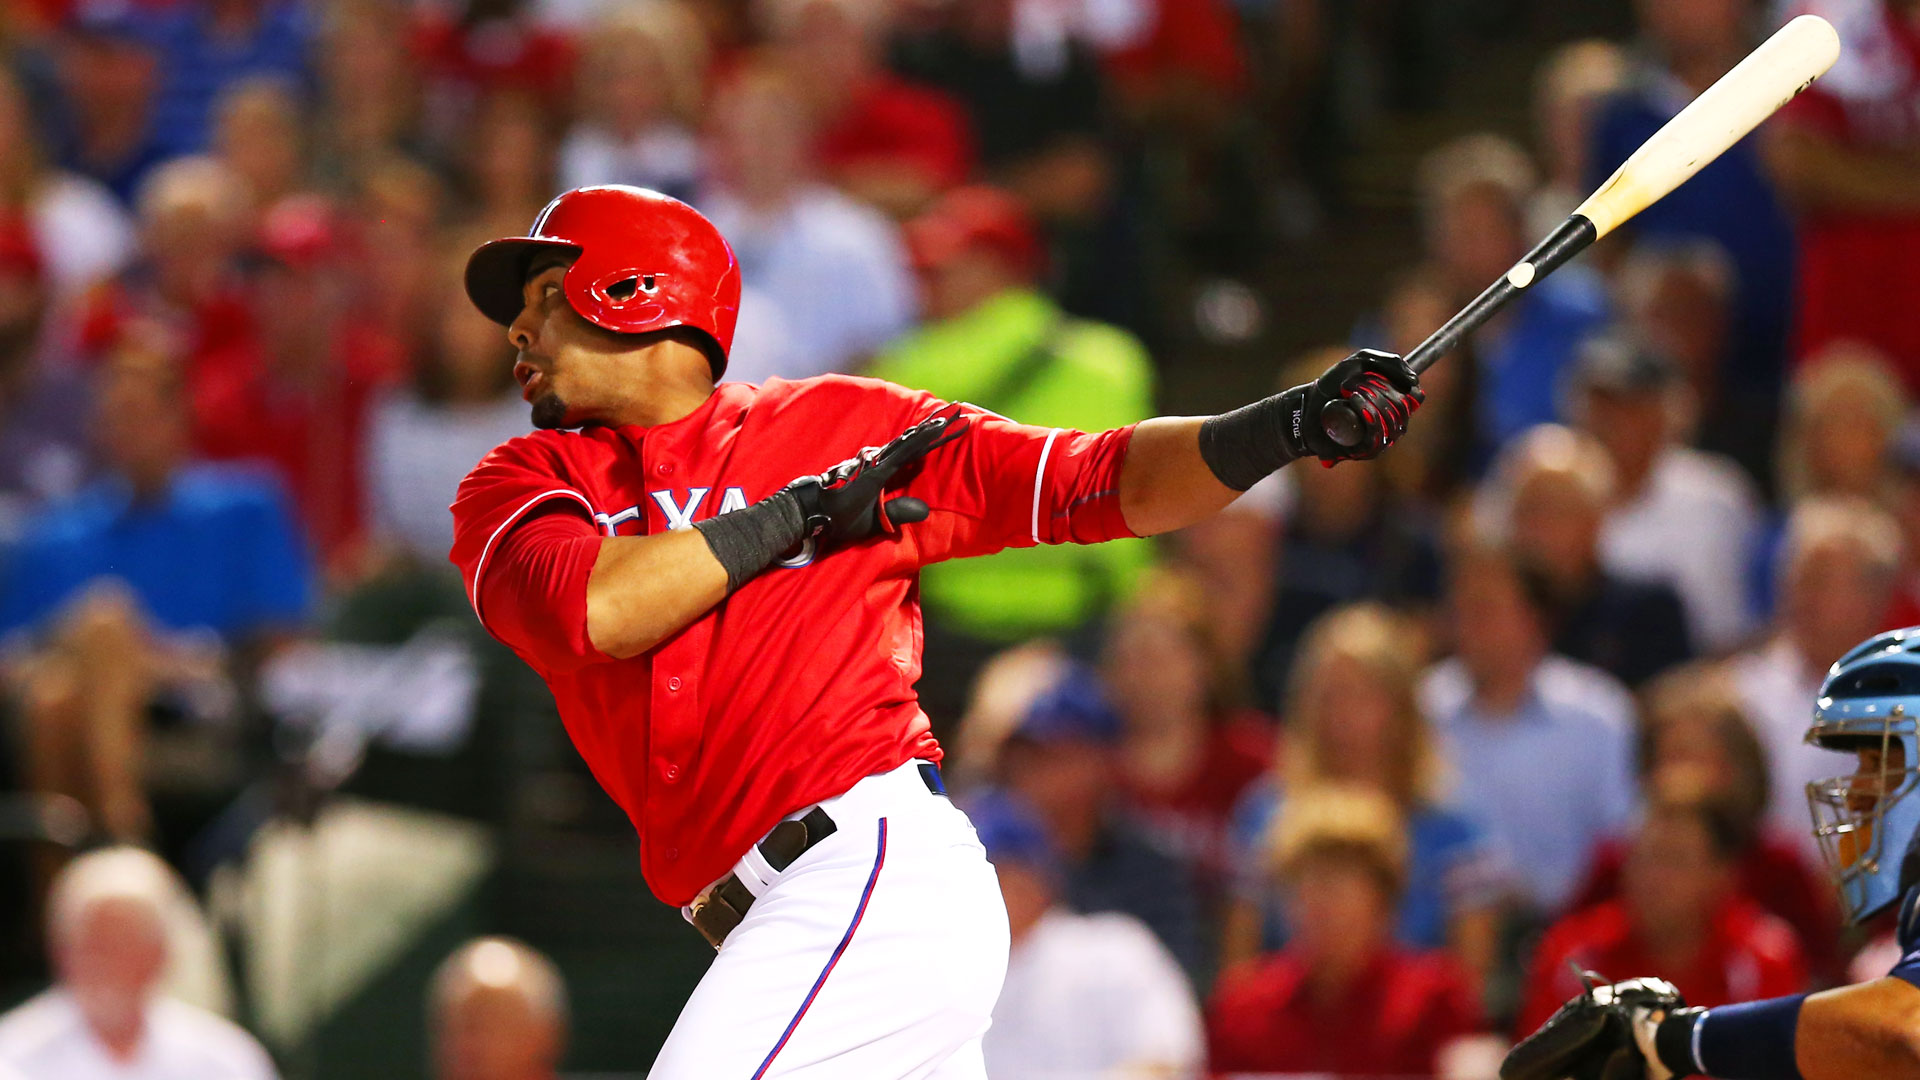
(1543, 745)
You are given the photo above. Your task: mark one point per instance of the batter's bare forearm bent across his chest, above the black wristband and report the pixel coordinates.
(646, 589)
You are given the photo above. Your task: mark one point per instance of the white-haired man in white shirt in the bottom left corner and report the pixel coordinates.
(103, 1019)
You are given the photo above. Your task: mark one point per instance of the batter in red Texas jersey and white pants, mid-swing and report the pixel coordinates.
(717, 583)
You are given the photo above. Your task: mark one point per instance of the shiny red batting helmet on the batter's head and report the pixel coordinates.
(646, 262)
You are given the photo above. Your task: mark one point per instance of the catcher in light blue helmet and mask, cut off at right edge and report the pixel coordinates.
(1869, 827)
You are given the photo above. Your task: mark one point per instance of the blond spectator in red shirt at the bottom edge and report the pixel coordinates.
(1343, 998)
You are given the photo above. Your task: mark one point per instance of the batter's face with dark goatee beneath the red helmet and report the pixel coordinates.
(567, 368)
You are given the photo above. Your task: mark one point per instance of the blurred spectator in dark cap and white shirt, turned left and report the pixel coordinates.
(1679, 516)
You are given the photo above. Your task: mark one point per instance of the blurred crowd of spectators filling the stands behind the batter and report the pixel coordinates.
(1345, 781)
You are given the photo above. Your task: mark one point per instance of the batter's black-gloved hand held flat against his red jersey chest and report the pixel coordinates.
(844, 504)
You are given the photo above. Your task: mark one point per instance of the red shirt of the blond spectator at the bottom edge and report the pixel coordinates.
(1391, 1021)
